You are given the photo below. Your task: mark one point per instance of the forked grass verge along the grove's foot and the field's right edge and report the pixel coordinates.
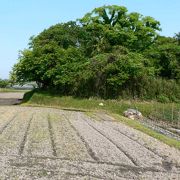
(113, 107)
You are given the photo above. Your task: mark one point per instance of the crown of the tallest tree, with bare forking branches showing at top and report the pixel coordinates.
(113, 25)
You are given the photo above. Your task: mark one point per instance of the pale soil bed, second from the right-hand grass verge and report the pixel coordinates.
(133, 150)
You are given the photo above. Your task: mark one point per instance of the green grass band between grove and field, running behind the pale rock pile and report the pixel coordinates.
(156, 110)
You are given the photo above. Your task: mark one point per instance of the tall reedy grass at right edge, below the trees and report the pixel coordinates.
(159, 89)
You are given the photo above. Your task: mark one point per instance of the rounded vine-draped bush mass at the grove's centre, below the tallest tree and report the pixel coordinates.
(108, 73)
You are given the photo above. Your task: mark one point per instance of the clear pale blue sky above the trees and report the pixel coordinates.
(20, 19)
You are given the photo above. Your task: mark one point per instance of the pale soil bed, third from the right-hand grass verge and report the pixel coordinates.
(102, 147)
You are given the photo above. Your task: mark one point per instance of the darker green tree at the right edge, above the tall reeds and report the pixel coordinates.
(165, 56)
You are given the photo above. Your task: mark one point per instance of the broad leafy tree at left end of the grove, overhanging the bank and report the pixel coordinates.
(48, 53)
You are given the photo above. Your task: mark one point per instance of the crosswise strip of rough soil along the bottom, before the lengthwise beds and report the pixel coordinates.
(104, 171)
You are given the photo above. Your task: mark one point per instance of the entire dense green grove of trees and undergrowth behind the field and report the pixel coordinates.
(108, 53)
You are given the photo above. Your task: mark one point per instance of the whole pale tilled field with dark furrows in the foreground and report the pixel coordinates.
(43, 143)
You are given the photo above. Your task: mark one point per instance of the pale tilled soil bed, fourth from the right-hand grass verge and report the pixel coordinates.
(66, 141)
